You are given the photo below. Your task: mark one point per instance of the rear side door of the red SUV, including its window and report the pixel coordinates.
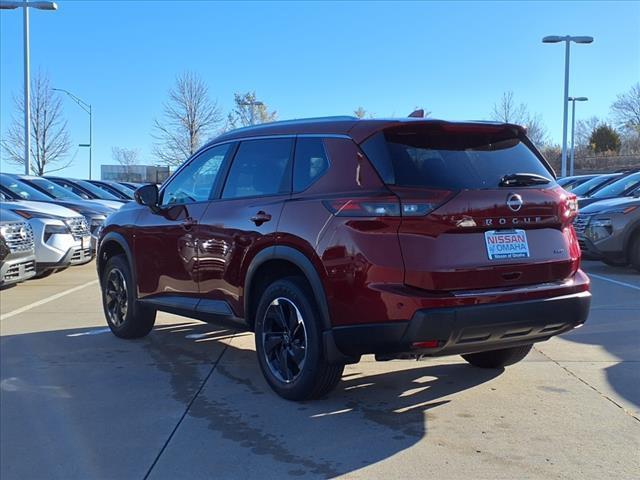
(242, 221)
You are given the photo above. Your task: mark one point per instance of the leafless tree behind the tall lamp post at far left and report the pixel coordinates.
(50, 141)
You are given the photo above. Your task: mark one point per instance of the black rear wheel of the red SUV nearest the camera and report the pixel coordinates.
(289, 343)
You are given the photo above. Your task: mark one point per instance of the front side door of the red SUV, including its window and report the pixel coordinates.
(166, 242)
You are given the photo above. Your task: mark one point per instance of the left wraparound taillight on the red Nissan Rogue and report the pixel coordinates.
(383, 207)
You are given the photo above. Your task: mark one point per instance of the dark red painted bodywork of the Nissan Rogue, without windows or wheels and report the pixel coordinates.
(372, 269)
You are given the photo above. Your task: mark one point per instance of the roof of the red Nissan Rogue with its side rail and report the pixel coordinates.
(358, 129)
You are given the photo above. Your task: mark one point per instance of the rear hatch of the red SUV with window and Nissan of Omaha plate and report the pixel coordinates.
(480, 209)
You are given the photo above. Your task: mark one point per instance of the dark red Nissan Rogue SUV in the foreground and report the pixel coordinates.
(337, 237)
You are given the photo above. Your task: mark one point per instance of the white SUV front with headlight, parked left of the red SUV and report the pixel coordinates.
(61, 235)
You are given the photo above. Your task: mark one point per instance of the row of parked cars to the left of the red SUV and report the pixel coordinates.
(50, 223)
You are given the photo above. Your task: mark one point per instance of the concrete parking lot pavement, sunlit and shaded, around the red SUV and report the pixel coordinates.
(188, 401)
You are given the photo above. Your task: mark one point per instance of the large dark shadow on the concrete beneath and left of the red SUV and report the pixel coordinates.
(102, 394)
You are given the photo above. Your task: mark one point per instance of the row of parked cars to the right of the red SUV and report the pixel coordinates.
(608, 223)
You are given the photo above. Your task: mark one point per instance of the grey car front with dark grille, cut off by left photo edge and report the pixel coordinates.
(17, 252)
